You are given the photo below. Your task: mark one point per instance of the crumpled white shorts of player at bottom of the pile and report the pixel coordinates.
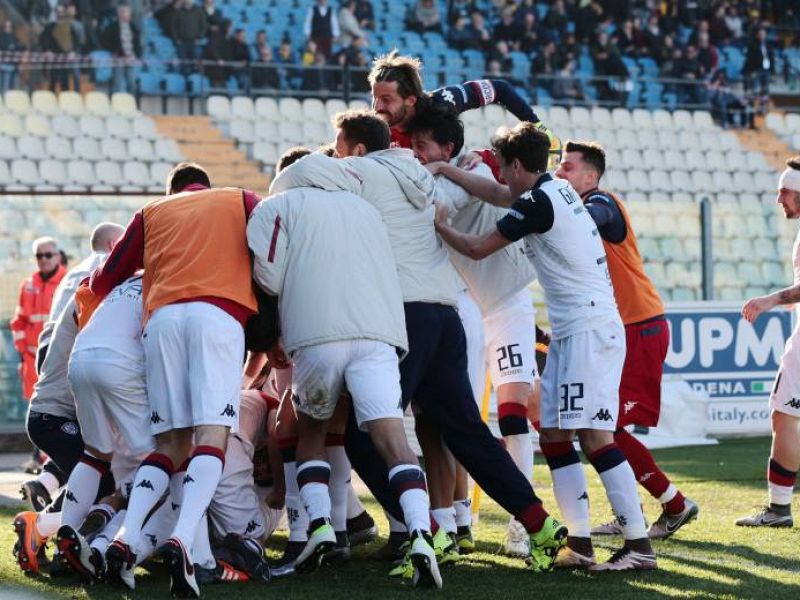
(235, 507)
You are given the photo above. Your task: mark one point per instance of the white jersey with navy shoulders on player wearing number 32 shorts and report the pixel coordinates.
(563, 243)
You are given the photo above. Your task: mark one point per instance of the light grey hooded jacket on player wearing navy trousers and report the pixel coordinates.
(402, 190)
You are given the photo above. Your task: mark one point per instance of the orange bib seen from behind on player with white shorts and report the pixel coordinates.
(195, 245)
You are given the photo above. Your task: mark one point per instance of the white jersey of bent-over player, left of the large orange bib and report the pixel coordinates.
(117, 323)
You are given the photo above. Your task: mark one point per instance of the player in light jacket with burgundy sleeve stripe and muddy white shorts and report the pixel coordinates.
(352, 338)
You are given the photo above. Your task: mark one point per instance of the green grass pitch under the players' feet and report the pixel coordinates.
(711, 558)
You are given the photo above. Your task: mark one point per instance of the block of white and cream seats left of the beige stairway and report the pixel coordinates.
(79, 143)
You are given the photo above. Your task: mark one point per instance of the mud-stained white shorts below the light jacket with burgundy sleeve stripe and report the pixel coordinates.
(368, 368)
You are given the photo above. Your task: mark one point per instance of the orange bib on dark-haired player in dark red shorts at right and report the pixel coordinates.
(636, 296)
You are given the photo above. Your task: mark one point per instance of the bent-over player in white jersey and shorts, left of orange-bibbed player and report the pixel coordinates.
(107, 376)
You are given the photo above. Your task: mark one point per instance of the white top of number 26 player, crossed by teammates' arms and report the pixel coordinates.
(498, 277)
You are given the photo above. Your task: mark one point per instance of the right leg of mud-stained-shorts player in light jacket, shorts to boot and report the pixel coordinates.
(373, 378)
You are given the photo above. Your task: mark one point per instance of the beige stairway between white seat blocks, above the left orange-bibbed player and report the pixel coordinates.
(200, 141)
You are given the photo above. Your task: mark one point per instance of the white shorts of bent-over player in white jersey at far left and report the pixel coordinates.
(110, 397)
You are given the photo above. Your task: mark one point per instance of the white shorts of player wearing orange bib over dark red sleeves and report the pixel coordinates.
(195, 353)
